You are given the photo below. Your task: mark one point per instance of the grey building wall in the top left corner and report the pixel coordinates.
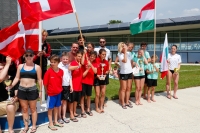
(8, 13)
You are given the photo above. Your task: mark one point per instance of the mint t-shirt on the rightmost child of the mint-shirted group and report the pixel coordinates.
(150, 67)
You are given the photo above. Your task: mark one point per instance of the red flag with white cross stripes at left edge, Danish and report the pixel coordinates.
(13, 40)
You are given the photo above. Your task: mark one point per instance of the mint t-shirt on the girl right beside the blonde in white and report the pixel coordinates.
(140, 63)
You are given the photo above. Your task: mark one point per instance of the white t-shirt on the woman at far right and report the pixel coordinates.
(174, 60)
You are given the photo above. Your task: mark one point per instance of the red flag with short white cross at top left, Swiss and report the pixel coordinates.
(38, 10)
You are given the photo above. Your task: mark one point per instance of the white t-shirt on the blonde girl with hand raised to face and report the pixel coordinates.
(125, 68)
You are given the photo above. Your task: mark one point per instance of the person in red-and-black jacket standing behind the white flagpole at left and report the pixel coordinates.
(45, 53)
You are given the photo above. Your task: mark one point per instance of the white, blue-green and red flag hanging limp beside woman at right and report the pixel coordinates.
(164, 58)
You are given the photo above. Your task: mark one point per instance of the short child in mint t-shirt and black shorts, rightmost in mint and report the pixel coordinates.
(152, 70)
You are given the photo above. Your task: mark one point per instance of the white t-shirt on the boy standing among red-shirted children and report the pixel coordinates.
(67, 74)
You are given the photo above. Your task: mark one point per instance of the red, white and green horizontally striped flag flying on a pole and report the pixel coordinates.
(145, 20)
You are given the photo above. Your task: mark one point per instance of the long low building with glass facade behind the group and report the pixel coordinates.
(182, 31)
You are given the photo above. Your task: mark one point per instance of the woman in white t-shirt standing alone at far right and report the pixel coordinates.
(174, 61)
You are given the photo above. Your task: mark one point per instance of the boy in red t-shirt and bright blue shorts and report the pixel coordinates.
(53, 85)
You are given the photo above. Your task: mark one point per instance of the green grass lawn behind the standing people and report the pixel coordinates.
(189, 77)
